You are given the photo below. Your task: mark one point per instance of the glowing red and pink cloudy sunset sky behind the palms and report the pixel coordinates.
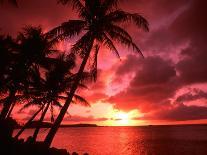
(168, 86)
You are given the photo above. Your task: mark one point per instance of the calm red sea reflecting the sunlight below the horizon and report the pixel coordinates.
(153, 140)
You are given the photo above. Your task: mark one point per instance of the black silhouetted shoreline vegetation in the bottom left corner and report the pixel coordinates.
(13, 146)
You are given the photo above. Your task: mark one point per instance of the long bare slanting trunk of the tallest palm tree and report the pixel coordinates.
(54, 128)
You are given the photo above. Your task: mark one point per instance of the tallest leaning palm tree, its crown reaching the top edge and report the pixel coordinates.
(99, 25)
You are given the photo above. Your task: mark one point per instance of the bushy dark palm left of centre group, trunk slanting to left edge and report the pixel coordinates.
(32, 49)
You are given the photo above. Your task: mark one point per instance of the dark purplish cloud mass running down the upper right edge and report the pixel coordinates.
(191, 26)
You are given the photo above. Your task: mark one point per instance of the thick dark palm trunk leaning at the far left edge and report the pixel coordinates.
(7, 105)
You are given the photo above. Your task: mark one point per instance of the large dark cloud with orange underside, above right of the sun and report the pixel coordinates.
(153, 84)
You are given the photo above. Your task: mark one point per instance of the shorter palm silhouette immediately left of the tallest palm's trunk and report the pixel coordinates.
(56, 86)
